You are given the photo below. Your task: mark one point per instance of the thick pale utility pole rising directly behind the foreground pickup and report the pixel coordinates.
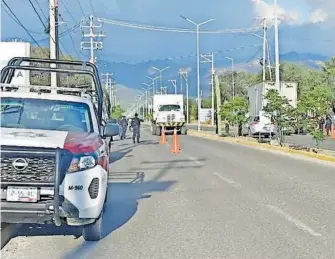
(53, 45)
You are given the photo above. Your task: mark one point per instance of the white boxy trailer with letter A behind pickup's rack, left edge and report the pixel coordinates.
(9, 50)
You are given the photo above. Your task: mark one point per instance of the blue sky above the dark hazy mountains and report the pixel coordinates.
(305, 26)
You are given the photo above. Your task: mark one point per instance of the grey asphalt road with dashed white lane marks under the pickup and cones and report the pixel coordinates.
(213, 200)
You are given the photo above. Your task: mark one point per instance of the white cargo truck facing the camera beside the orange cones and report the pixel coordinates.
(168, 112)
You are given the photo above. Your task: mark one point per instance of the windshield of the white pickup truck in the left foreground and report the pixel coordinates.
(45, 115)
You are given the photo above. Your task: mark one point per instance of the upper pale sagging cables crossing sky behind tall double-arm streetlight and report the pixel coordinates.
(171, 29)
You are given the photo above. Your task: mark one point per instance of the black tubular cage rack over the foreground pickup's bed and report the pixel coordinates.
(98, 89)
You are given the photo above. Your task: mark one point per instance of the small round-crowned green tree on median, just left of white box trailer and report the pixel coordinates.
(234, 112)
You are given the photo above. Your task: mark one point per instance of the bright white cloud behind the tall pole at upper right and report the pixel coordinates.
(263, 9)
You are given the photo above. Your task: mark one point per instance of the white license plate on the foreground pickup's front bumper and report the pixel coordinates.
(22, 194)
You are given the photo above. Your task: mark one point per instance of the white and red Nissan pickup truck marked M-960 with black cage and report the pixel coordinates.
(54, 154)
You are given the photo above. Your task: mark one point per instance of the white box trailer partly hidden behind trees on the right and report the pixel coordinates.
(256, 95)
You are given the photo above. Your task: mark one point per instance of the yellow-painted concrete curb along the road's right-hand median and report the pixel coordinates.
(287, 150)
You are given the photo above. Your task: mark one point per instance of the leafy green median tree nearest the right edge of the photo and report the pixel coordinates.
(317, 103)
